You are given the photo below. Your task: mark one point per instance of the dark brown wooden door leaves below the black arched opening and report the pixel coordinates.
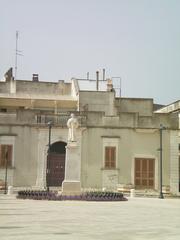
(55, 169)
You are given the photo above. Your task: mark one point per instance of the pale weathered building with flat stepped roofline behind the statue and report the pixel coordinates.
(118, 138)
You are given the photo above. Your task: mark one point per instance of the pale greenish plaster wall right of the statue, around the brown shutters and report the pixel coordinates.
(131, 144)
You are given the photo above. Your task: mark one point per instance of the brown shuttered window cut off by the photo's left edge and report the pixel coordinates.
(5, 156)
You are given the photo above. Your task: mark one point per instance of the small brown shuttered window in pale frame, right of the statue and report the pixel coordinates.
(110, 157)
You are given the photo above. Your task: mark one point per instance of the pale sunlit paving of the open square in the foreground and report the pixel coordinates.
(135, 219)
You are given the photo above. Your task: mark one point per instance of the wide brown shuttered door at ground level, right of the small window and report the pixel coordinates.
(144, 173)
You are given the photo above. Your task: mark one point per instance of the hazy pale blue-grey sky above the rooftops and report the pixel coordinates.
(137, 40)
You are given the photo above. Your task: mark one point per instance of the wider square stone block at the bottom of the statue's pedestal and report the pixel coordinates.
(71, 188)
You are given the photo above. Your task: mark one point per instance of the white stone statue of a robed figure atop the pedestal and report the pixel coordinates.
(72, 124)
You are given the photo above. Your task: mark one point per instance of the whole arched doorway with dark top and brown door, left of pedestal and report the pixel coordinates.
(56, 164)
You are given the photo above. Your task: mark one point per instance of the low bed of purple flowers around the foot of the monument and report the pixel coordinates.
(86, 196)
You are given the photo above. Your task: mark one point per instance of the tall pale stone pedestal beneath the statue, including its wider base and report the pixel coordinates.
(72, 184)
